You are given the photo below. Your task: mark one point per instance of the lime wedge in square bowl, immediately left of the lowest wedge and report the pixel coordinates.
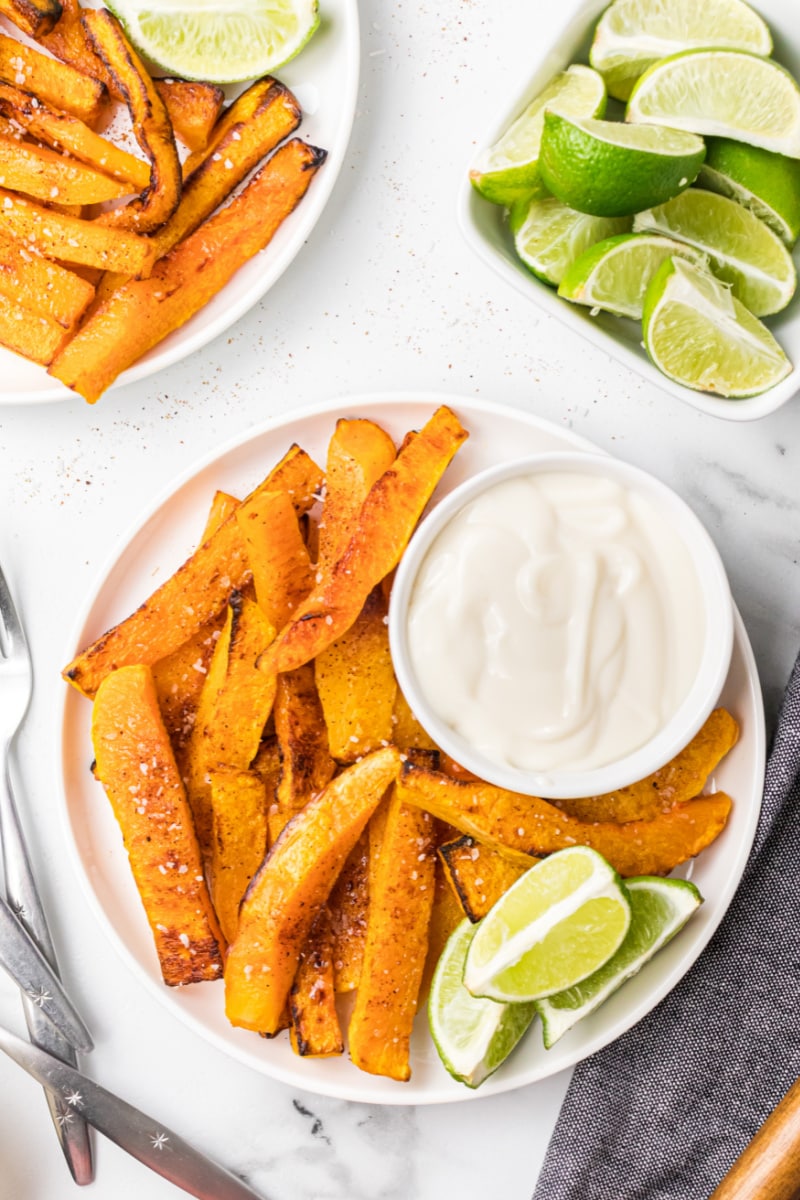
(615, 274)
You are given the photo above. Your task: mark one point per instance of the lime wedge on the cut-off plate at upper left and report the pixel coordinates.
(220, 44)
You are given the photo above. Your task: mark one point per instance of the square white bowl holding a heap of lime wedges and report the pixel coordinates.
(488, 233)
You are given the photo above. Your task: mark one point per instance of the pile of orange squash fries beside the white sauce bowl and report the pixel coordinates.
(290, 825)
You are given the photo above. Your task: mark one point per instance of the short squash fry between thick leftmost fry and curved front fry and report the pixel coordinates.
(238, 839)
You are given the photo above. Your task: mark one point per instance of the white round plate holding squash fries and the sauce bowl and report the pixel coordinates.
(159, 544)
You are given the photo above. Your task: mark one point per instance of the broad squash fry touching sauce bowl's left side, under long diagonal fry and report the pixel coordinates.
(357, 683)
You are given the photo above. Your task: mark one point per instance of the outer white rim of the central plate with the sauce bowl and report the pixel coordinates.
(338, 1089)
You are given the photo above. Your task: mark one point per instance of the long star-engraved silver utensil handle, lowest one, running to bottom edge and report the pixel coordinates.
(141, 1136)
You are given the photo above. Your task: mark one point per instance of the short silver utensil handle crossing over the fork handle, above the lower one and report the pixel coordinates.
(22, 958)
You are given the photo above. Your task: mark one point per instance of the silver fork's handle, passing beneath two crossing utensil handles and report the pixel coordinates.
(23, 896)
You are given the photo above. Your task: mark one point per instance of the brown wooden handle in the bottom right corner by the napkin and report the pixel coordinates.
(769, 1169)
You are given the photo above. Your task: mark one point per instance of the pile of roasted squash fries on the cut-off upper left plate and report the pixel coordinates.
(104, 254)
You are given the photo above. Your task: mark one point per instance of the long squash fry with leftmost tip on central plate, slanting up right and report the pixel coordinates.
(197, 592)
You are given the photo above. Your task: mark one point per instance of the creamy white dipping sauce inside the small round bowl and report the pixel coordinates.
(557, 622)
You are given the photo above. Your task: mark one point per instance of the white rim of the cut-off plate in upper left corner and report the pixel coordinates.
(309, 215)
